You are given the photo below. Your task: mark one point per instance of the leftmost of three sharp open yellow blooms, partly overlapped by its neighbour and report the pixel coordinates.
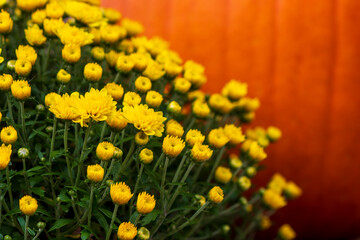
(61, 107)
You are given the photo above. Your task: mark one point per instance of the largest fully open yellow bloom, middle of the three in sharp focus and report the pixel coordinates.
(96, 105)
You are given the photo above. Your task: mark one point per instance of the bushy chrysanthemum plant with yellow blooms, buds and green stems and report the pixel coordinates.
(102, 117)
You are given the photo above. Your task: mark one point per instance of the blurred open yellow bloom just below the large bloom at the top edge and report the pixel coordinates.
(73, 35)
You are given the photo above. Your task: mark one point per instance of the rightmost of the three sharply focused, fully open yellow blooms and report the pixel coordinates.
(145, 119)
